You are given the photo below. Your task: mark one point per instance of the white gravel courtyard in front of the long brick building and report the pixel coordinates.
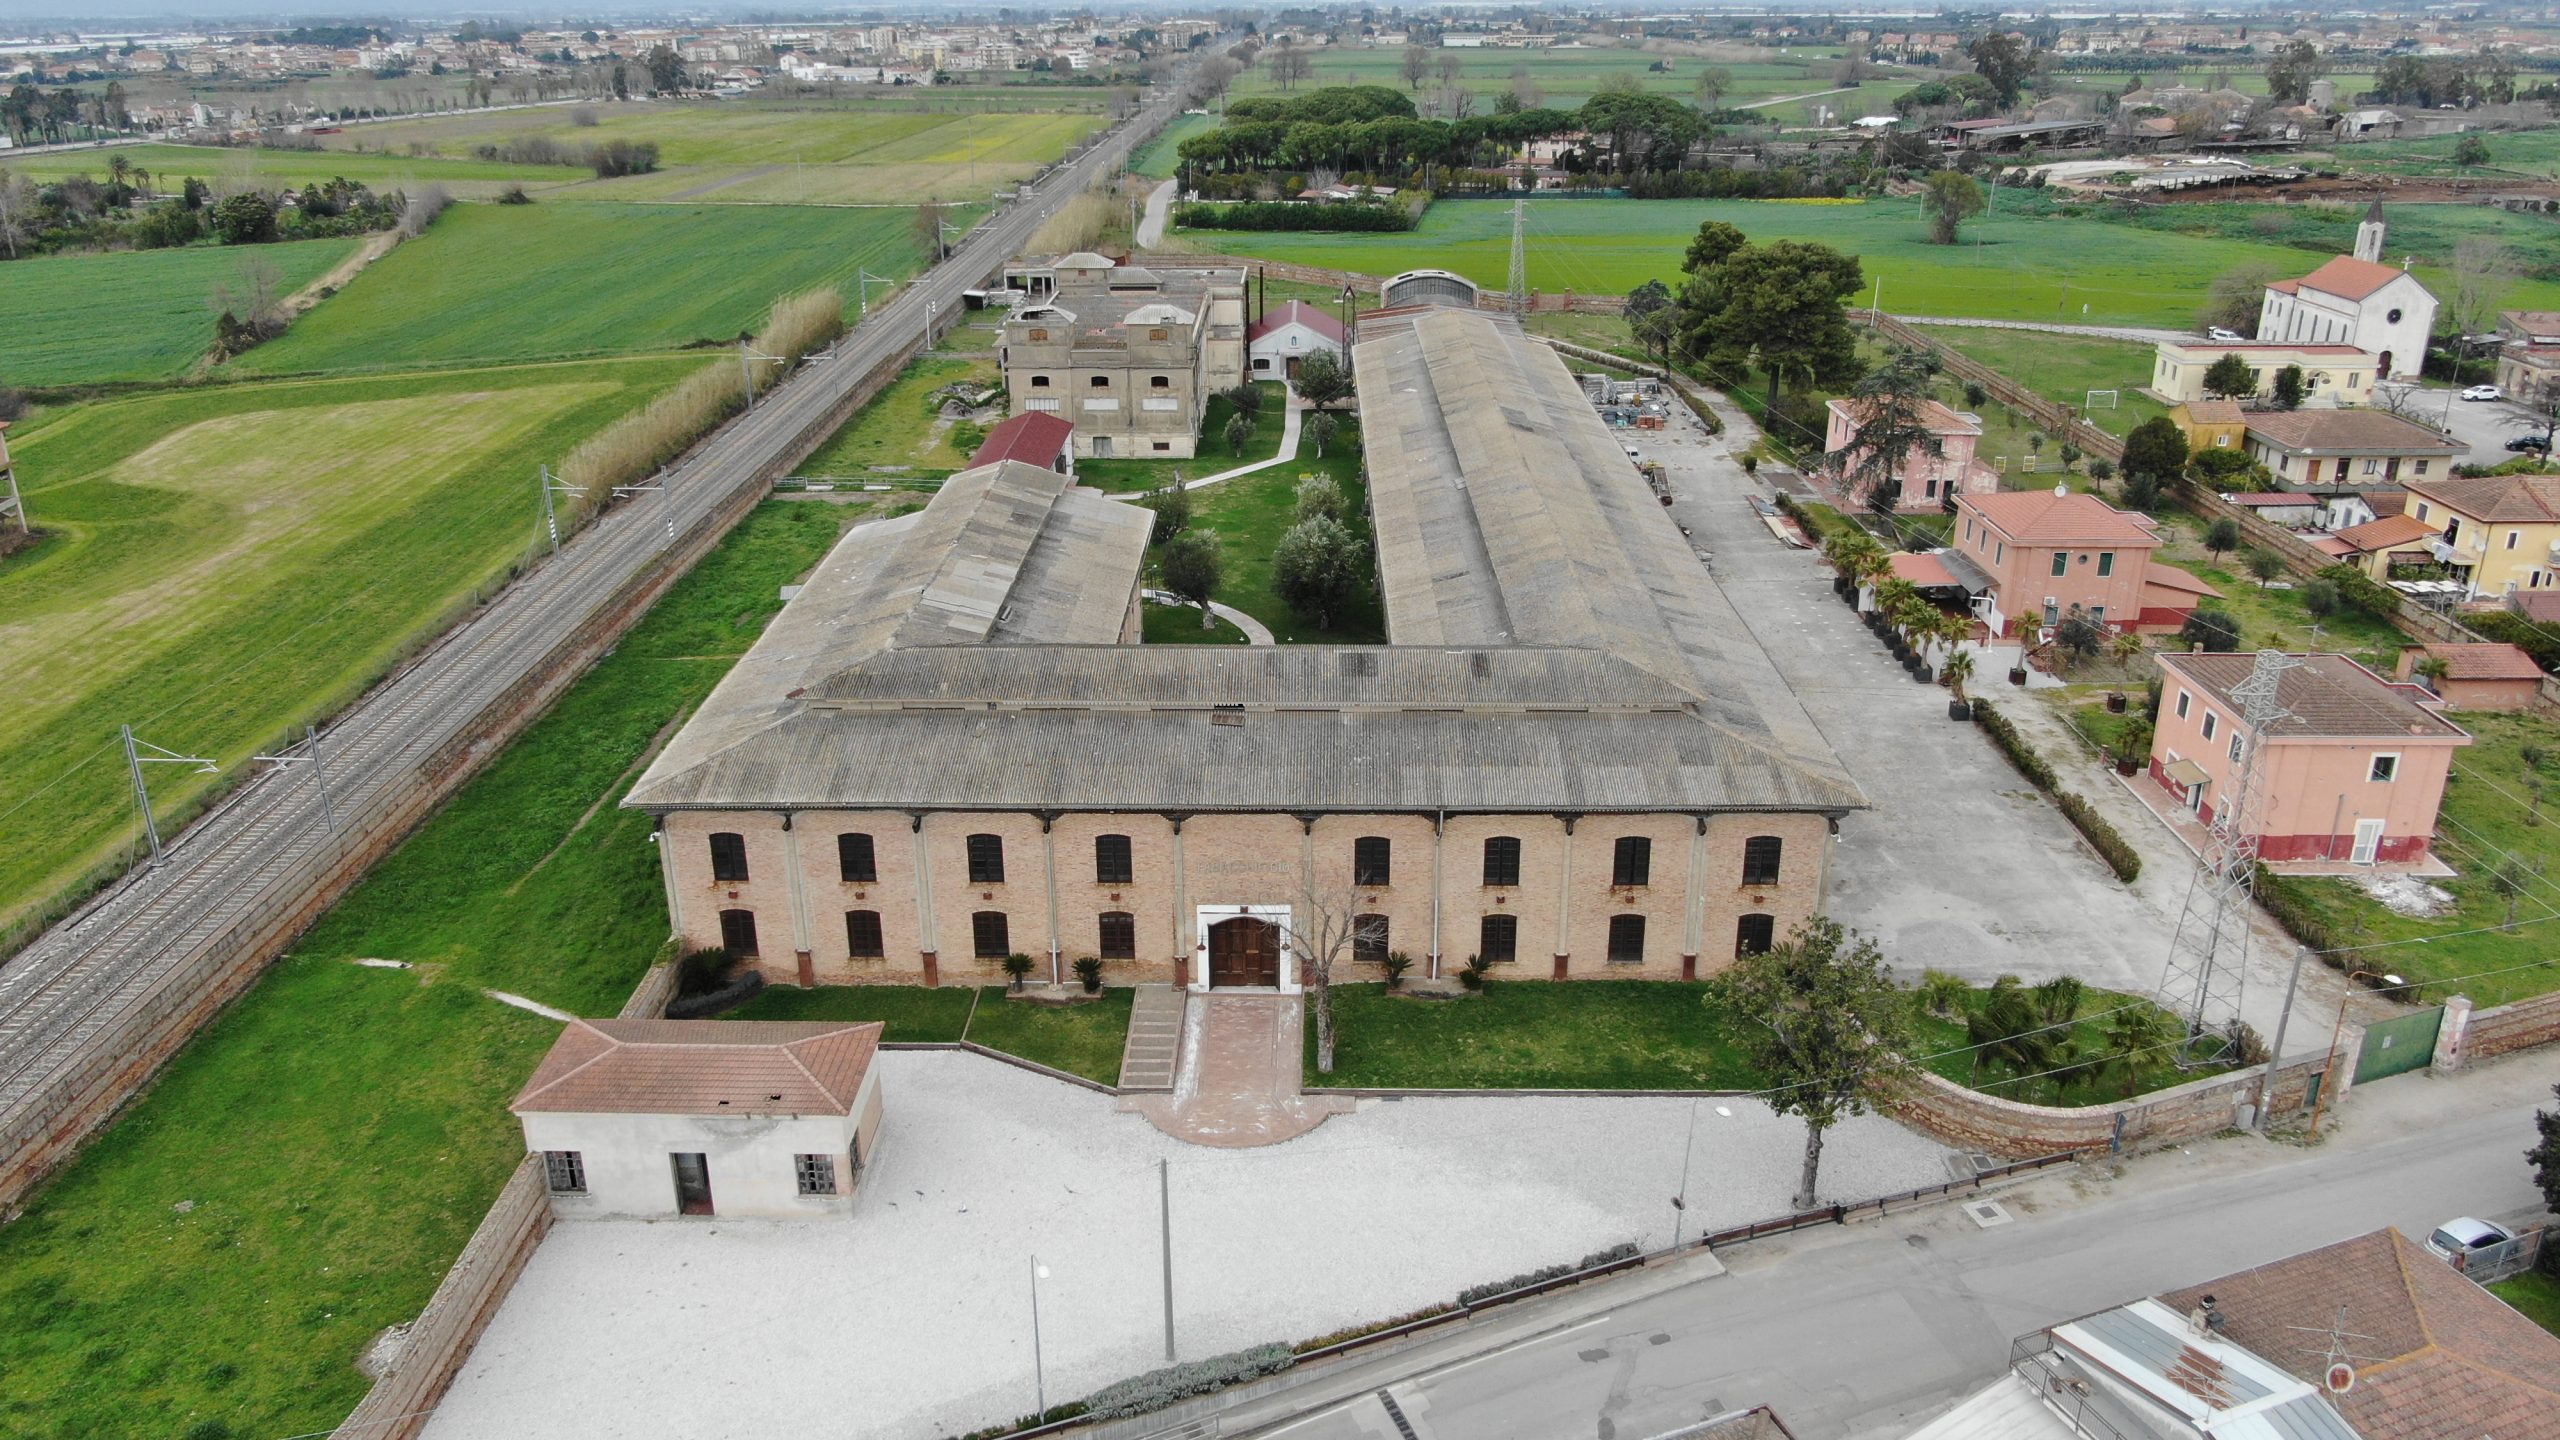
(915, 1318)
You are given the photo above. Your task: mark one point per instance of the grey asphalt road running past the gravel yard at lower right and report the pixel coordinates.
(1865, 1334)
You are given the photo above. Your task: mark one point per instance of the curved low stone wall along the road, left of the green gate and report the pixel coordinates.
(2008, 1129)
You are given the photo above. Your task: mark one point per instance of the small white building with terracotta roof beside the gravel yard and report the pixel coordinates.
(705, 1116)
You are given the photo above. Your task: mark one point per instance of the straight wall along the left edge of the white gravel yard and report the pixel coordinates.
(442, 1339)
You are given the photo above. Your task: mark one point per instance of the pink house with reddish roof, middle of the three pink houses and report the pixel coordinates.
(2052, 552)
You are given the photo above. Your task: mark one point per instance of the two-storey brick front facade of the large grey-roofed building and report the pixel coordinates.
(1435, 898)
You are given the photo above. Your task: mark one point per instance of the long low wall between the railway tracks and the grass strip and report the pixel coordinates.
(122, 1060)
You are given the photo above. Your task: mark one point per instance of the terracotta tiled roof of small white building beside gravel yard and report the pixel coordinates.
(703, 1067)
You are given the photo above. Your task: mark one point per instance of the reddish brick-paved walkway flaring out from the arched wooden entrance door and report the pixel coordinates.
(1238, 1083)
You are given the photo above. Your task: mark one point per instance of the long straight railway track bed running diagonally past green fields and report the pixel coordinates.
(86, 1008)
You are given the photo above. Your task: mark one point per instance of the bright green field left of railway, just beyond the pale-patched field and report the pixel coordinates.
(503, 283)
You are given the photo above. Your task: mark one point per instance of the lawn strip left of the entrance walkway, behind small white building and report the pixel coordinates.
(1079, 1039)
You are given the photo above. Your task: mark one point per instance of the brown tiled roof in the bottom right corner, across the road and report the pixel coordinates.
(2436, 1357)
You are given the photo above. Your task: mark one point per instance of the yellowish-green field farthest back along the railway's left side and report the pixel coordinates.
(782, 152)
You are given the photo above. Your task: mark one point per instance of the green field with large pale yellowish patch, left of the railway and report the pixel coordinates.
(237, 560)
